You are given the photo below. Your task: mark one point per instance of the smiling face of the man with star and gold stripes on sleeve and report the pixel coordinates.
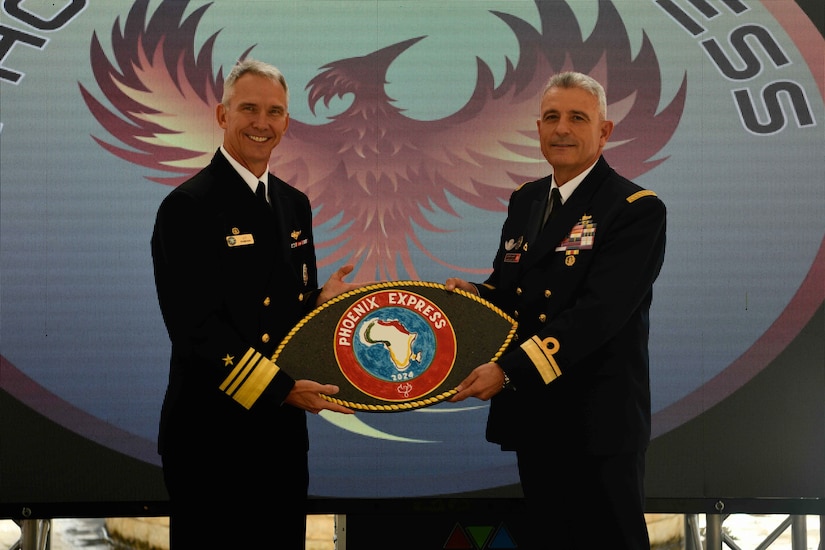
(254, 119)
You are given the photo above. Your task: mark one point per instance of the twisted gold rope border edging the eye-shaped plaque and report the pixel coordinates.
(393, 284)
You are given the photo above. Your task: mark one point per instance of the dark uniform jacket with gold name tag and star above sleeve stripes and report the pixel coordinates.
(233, 277)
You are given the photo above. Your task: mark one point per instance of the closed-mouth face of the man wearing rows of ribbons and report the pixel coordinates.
(571, 131)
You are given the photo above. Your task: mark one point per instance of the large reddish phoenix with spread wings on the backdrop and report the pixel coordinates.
(371, 171)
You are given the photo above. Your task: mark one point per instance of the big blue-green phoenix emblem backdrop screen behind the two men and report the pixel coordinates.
(412, 122)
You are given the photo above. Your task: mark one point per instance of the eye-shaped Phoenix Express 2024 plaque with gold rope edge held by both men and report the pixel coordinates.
(395, 346)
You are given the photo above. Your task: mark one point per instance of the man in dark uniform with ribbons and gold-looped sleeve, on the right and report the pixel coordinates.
(579, 253)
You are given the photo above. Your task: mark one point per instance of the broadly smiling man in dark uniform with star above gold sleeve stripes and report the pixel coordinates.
(234, 273)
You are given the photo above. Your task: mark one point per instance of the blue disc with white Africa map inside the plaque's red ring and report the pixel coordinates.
(394, 344)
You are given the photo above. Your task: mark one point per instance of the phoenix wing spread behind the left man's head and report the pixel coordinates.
(162, 95)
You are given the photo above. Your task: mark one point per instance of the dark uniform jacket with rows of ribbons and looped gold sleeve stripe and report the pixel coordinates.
(581, 290)
